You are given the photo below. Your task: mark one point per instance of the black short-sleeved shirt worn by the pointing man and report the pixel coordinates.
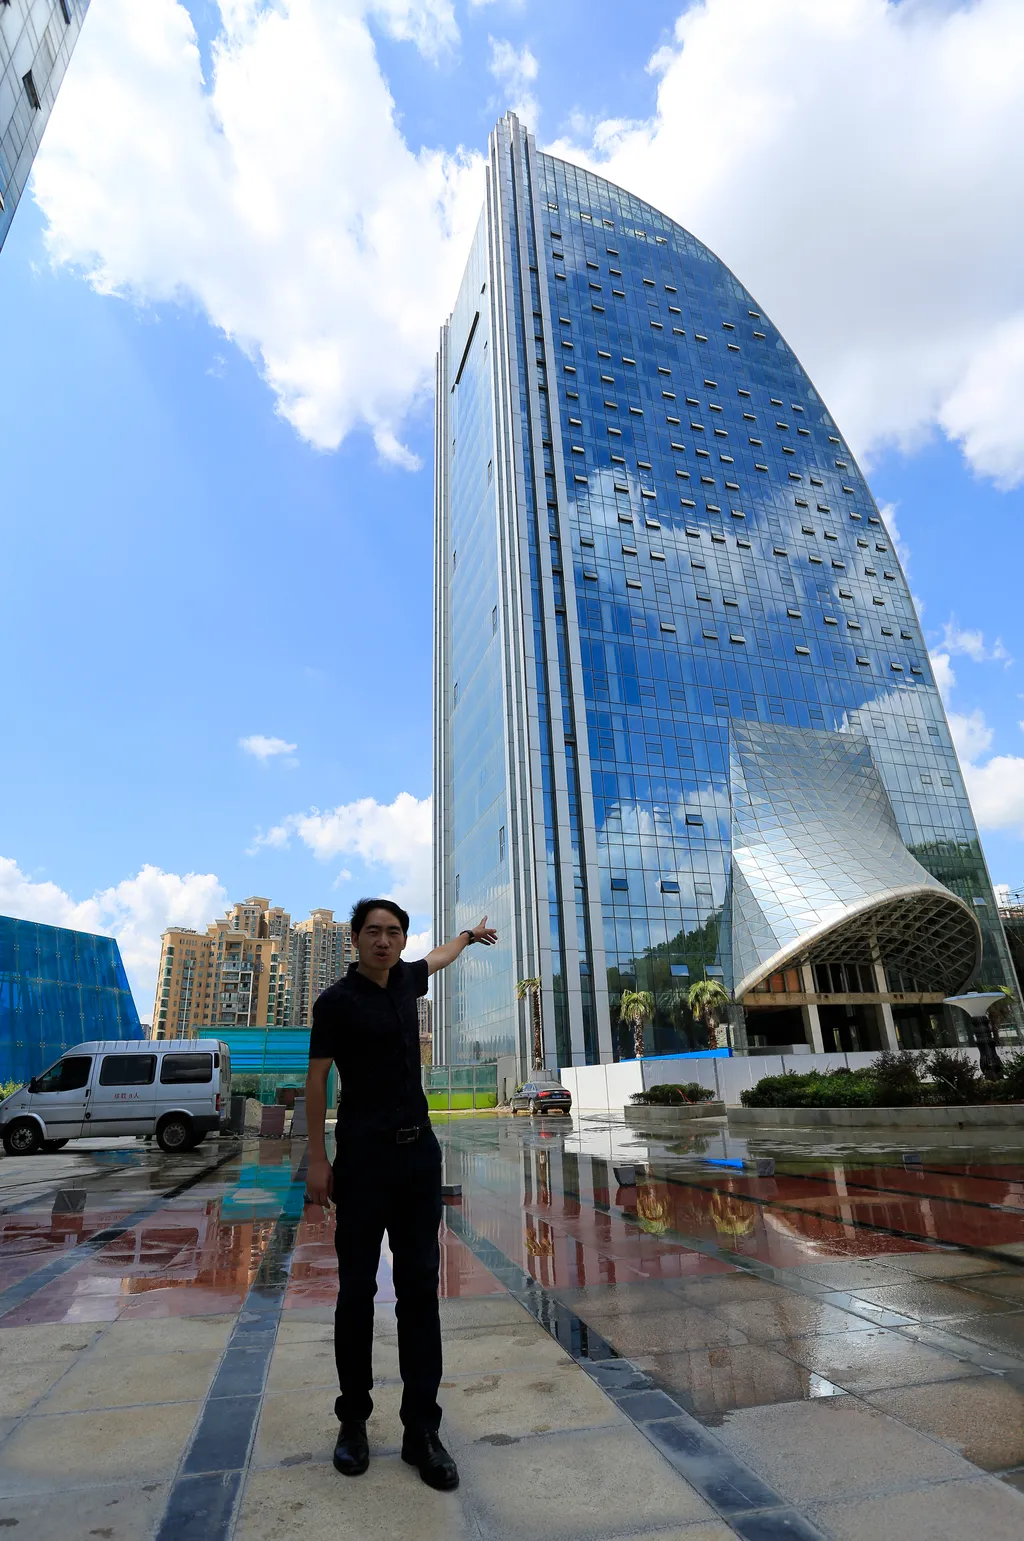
(373, 1038)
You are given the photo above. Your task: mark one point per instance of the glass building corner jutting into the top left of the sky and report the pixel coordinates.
(36, 42)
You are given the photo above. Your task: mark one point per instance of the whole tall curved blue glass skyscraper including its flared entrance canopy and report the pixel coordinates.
(686, 725)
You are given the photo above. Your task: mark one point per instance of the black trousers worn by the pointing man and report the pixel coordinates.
(383, 1186)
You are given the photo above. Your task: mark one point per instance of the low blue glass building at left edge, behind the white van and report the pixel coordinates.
(58, 989)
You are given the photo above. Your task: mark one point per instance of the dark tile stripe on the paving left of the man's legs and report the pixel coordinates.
(206, 1496)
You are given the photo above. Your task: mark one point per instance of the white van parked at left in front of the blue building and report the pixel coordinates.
(175, 1089)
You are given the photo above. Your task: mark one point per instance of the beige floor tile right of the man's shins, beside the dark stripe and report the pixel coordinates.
(524, 1403)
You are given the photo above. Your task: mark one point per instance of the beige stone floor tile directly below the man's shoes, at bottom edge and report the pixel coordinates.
(313, 1503)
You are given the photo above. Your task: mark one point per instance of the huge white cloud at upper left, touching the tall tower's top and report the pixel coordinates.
(279, 196)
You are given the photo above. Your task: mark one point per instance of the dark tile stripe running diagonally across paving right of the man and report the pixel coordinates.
(734, 1489)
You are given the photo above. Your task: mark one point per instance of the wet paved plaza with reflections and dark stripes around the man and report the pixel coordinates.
(837, 1351)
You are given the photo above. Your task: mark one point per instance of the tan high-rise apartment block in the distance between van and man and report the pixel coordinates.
(250, 970)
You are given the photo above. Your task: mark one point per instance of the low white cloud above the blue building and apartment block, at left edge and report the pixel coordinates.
(135, 912)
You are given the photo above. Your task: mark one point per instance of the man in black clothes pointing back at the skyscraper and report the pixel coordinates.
(386, 1177)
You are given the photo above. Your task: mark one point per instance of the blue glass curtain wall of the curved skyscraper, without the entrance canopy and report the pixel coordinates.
(689, 543)
